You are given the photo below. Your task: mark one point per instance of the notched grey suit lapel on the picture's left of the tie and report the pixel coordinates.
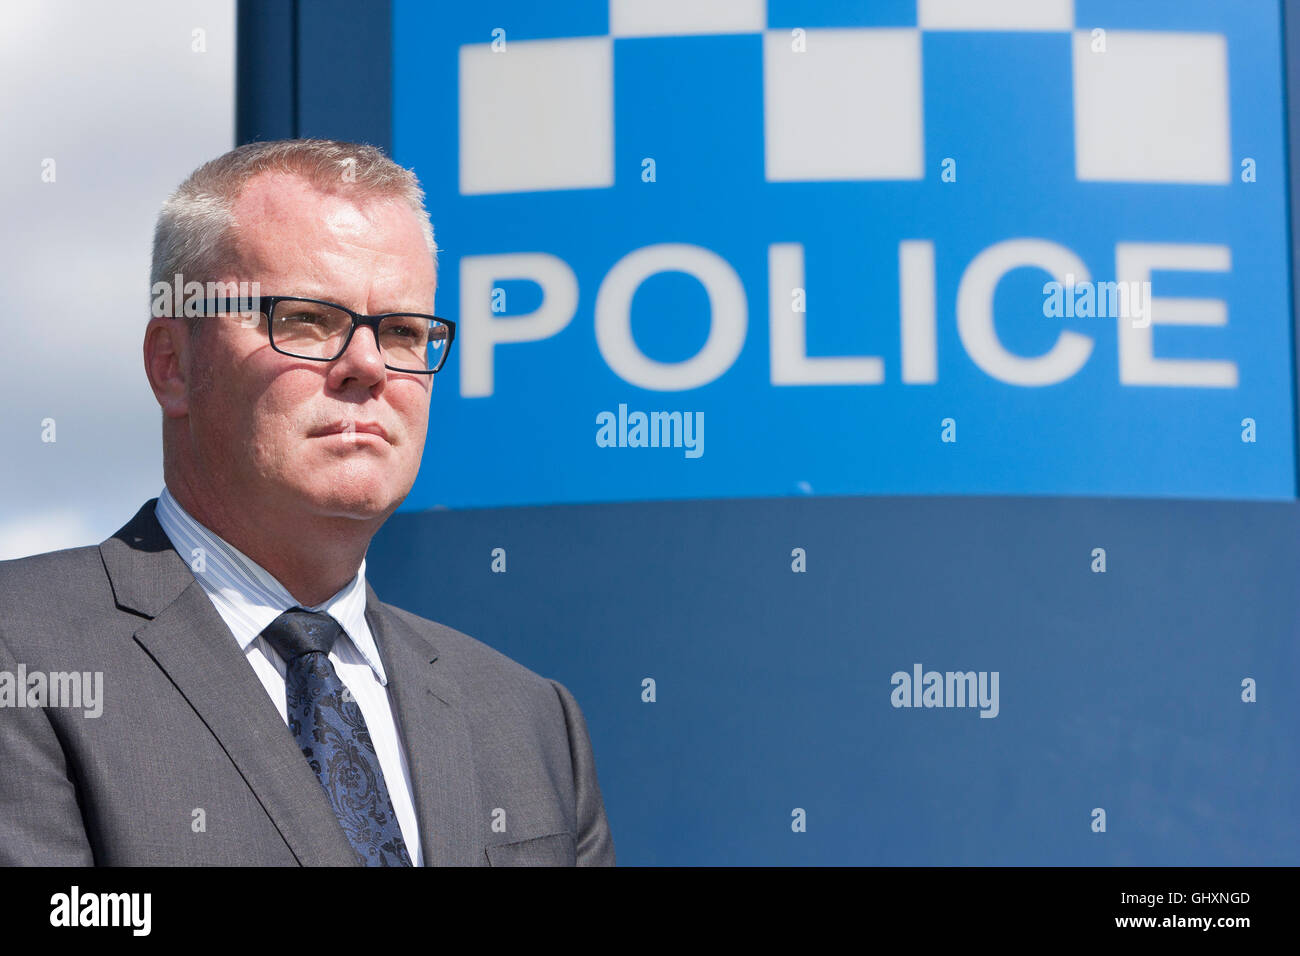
(193, 646)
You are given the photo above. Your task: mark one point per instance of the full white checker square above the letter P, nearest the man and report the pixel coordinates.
(538, 116)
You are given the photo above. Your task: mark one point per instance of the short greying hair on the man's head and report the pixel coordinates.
(197, 227)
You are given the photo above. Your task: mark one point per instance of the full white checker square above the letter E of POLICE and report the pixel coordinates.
(1152, 109)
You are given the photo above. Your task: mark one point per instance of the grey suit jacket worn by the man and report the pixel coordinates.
(190, 763)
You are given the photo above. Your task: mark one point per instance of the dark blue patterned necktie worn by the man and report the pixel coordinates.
(328, 725)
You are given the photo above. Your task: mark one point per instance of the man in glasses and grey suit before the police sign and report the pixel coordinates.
(259, 704)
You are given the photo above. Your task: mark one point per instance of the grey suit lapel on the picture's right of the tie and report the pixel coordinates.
(432, 726)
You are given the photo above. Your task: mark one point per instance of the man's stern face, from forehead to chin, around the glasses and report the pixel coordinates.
(293, 435)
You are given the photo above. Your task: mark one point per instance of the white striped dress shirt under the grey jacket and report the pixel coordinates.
(249, 599)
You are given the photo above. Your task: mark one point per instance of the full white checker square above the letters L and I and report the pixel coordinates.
(850, 107)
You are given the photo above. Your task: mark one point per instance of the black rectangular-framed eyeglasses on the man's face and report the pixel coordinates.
(322, 331)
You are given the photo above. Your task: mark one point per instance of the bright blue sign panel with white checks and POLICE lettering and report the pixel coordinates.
(703, 249)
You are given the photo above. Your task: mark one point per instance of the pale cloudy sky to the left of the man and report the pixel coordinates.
(124, 102)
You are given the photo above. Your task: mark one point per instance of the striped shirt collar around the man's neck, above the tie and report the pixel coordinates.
(242, 583)
